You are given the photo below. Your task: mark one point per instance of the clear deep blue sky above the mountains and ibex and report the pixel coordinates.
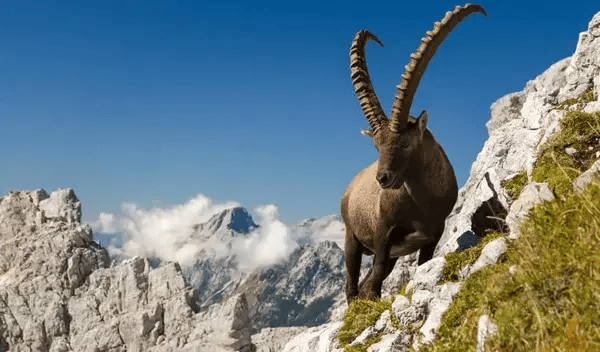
(154, 102)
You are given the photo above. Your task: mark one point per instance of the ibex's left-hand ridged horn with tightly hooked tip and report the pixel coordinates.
(362, 81)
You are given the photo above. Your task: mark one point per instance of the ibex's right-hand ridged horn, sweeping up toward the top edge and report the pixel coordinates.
(420, 58)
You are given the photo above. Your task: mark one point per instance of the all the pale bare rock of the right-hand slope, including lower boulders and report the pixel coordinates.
(520, 122)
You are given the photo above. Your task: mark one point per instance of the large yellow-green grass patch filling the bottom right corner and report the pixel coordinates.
(552, 302)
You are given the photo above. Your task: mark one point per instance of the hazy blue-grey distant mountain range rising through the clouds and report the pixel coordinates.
(300, 290)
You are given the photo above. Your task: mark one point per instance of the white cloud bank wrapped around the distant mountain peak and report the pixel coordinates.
(169, 234)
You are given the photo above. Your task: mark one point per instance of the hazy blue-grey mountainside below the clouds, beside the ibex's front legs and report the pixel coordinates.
(300, 291)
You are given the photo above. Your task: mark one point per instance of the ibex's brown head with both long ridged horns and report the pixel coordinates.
(398, 138)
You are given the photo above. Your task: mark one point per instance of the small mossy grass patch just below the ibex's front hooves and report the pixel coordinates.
(362, 313)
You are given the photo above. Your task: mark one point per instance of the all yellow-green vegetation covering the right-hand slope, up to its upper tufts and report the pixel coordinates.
(545, 292)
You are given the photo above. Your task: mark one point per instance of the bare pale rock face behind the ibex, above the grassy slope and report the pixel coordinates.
(519, 123)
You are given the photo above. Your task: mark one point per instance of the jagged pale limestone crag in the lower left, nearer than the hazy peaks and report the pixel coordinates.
(58, 292)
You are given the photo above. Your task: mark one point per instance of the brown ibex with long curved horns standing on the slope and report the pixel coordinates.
(398, 204)
